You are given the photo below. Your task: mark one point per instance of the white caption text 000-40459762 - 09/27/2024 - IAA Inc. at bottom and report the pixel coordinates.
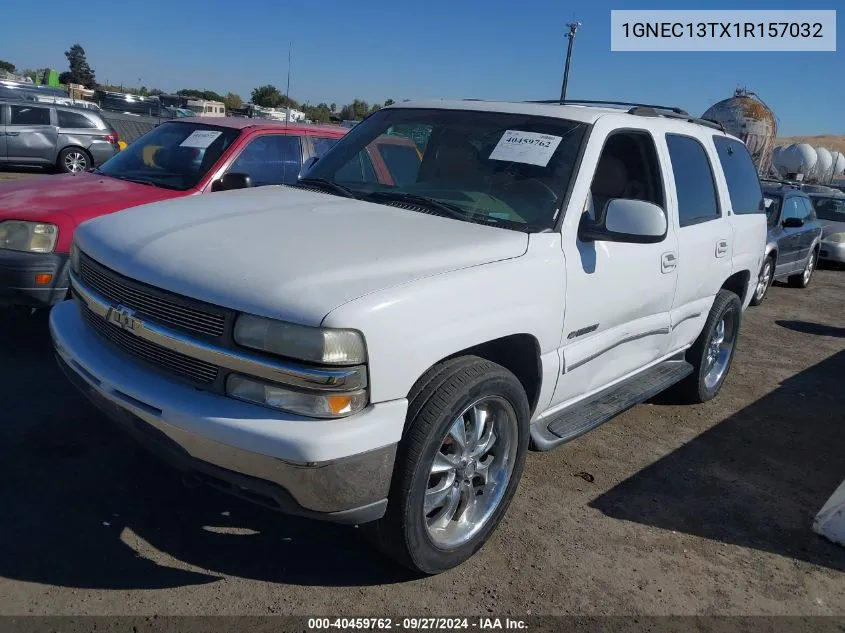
(416, 624)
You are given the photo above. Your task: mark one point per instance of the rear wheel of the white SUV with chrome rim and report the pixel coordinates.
(708, 377)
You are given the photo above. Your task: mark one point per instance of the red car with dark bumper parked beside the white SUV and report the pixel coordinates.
(182, 157)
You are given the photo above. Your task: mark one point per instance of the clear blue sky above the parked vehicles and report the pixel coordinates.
(418, 49)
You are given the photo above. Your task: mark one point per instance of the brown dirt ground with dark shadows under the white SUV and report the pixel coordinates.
(665, 510)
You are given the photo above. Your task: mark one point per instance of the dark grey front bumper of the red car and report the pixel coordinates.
(17, 278)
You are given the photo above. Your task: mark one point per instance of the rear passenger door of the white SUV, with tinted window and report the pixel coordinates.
(705, 235)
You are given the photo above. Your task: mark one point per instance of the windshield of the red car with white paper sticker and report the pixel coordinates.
(172, 155)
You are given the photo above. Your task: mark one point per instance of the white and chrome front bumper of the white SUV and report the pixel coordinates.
(336, 470)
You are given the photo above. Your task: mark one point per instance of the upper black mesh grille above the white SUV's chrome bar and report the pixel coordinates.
(154, 304)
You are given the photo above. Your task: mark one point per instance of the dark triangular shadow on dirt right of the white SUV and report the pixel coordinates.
(757, 478)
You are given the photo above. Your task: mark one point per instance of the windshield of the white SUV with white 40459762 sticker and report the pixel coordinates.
(496, 168)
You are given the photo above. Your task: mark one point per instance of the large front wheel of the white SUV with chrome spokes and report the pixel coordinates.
(407, 533)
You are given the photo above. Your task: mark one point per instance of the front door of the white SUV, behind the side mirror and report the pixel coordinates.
(618, 295)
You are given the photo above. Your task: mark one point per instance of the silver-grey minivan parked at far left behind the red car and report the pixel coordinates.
(71, 139)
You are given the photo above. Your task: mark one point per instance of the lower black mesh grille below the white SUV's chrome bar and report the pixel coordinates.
(161, 357)
